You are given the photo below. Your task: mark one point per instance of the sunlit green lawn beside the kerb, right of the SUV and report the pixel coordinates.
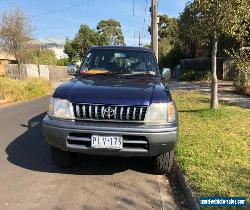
(214, 146)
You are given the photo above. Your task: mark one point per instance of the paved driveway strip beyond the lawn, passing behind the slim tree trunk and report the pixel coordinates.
(226, 91)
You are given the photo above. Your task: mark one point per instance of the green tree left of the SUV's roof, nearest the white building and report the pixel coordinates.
(78, 47)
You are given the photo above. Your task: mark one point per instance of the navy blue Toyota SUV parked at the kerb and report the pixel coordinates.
(116, 105)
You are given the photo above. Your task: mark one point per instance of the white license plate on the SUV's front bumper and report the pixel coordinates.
(106, 142)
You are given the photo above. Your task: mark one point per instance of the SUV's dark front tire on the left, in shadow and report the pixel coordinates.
(62, 159)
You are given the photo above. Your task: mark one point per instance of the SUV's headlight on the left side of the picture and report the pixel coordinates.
(60, 108)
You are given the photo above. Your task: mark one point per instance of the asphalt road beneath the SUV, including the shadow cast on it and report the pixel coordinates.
(29, 179)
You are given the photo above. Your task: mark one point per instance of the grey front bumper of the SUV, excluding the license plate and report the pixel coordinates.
(139, 140)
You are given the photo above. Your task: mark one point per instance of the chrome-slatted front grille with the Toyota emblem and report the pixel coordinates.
(112, 112)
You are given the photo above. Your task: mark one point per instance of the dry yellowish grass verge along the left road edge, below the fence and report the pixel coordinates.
(12, 90)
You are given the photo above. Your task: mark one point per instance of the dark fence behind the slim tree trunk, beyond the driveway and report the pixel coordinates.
(225, 67)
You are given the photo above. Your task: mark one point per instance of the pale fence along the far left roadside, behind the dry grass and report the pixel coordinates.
(49, 72)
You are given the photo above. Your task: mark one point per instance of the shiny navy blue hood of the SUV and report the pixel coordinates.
(114, 91)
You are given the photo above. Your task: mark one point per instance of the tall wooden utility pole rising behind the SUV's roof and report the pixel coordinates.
(154, 27)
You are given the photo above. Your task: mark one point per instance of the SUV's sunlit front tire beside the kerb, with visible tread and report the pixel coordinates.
(164, 163)
